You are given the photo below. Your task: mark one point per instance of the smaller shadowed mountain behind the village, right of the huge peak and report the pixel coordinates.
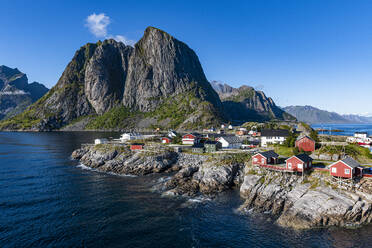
(246, 104)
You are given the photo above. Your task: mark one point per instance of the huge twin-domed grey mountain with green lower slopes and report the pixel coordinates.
(108, 85)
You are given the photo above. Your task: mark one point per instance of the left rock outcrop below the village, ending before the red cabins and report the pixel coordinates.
(194, 173)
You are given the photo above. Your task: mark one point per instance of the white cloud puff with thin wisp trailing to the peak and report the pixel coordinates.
(97, 25)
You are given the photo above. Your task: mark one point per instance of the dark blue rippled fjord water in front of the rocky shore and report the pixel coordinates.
(46, 200)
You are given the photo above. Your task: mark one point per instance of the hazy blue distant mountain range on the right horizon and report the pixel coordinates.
(312, 115)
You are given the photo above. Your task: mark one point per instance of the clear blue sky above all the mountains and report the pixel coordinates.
(314, 52)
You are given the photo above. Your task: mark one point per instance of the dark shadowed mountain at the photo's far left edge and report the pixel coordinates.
(16, 93)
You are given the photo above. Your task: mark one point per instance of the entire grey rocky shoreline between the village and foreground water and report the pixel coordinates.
(292, 201)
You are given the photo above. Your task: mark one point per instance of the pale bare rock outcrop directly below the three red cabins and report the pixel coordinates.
(301, 204)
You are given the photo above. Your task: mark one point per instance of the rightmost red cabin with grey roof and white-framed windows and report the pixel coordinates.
(346, 168)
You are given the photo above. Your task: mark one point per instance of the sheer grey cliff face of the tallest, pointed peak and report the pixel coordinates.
(162, 67)
